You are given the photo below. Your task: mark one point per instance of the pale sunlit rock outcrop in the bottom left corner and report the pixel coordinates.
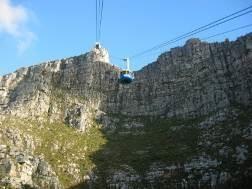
(19, 168)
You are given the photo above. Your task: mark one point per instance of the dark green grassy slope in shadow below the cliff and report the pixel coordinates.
(160, 140)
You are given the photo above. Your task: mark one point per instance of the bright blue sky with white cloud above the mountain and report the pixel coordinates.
(34, 31)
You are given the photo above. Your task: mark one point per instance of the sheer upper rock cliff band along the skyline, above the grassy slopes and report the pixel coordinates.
(192, 80)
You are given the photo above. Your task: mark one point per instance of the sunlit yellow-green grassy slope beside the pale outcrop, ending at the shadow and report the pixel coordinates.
(61, 146)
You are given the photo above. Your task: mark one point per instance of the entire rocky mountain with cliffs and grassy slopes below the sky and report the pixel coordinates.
(184, 122)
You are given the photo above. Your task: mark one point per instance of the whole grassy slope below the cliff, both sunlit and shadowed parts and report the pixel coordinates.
(61, 145)
